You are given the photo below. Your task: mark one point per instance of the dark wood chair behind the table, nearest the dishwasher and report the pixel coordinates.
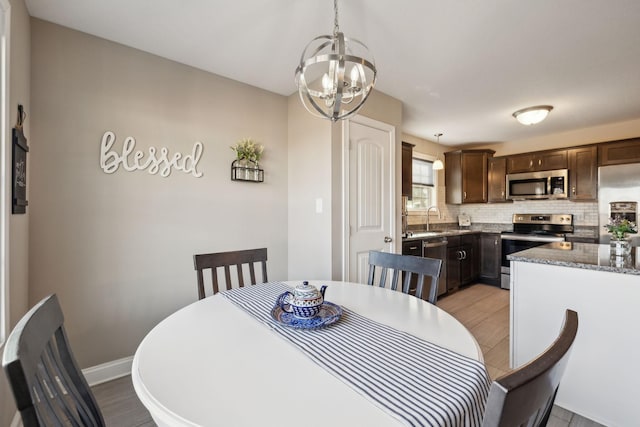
(424, 269)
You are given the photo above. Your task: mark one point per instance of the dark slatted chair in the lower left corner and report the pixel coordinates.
(48, 386)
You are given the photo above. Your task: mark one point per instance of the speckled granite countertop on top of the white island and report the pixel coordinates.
(589, 256)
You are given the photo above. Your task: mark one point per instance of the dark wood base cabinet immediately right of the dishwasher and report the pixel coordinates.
(462, 260)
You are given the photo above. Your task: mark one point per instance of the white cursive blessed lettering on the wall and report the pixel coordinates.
(153, 161)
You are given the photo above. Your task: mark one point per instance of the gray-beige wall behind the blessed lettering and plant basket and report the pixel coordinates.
(118, 248)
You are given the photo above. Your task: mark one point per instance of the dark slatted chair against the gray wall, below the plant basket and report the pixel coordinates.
(226, 260)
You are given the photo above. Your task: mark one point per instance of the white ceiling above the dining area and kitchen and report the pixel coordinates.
(460, 68)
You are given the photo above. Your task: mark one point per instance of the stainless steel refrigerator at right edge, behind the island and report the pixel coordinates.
(619, 183)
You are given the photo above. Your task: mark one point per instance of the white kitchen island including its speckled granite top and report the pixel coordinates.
(603, 374)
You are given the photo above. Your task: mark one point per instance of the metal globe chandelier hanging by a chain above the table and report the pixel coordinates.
(335, 75)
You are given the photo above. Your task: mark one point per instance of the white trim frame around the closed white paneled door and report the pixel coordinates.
(346, 234)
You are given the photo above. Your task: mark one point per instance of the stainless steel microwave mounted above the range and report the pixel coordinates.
(552, 184)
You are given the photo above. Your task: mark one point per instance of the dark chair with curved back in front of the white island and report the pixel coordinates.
(525, 397)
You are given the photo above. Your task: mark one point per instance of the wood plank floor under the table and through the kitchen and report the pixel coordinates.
(483, 309)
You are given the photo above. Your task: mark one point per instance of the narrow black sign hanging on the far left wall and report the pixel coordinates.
(19, 170)
